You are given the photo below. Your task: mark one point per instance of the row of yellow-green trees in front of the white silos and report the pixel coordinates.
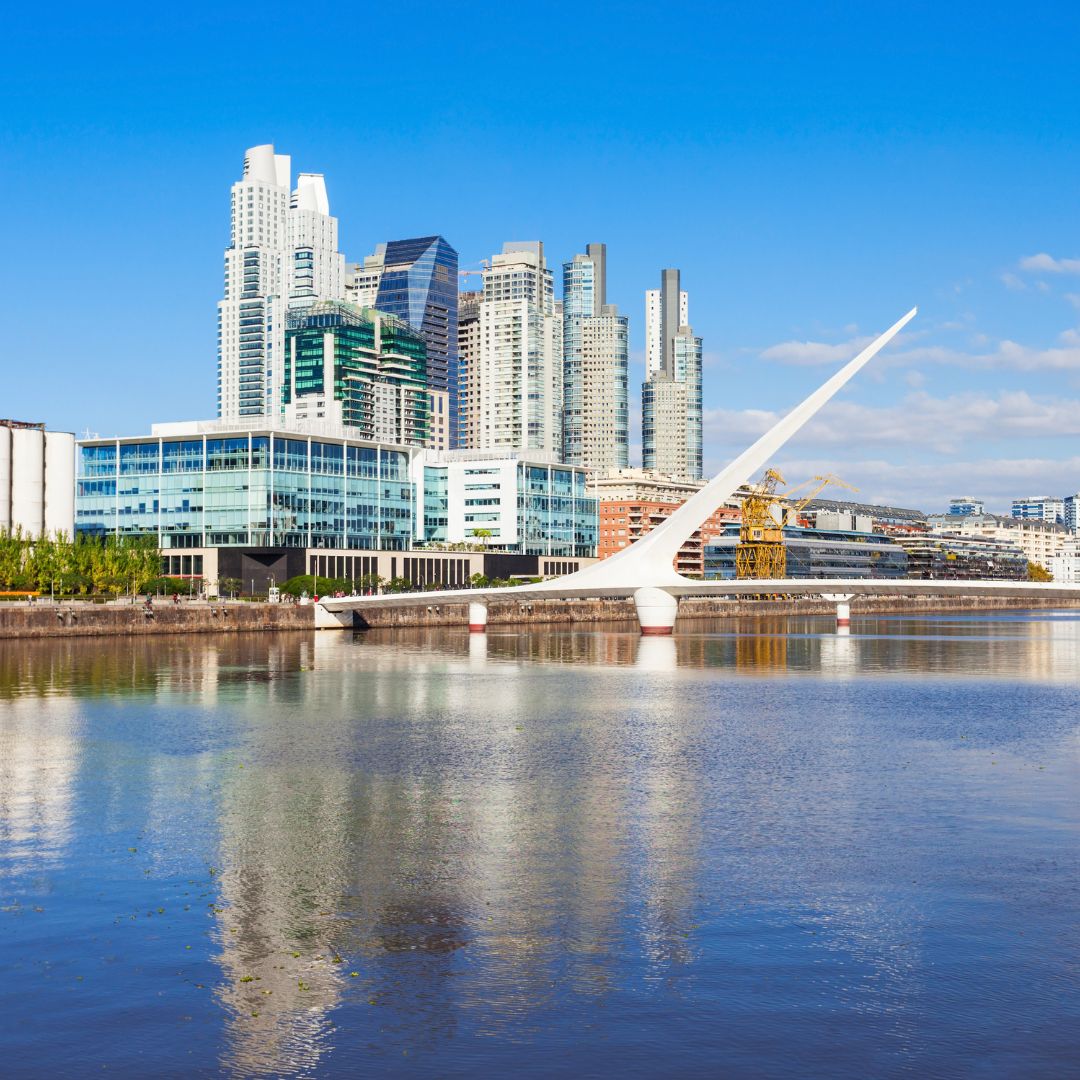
(83, 566)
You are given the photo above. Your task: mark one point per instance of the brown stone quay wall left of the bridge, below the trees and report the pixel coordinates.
(120, 620)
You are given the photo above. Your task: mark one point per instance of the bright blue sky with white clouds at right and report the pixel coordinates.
(815, 170)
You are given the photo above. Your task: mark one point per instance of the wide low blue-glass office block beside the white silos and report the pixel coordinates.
(252, 489)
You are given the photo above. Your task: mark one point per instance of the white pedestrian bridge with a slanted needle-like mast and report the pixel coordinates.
(645, 571)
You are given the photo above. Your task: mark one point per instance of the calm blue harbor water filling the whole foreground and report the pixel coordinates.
(757, 849)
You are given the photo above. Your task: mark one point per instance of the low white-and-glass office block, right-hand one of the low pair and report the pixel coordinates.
(514, 502)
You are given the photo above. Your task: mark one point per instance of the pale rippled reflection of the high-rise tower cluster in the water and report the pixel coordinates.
(414, 819)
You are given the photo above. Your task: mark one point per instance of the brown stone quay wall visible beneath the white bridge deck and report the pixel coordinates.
(704, 607)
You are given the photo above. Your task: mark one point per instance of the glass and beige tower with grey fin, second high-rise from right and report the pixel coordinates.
(596, 368)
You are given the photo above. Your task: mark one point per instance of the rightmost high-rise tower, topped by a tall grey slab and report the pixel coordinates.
(671, 396)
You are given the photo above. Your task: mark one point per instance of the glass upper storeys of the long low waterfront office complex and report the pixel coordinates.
(206, 485)
